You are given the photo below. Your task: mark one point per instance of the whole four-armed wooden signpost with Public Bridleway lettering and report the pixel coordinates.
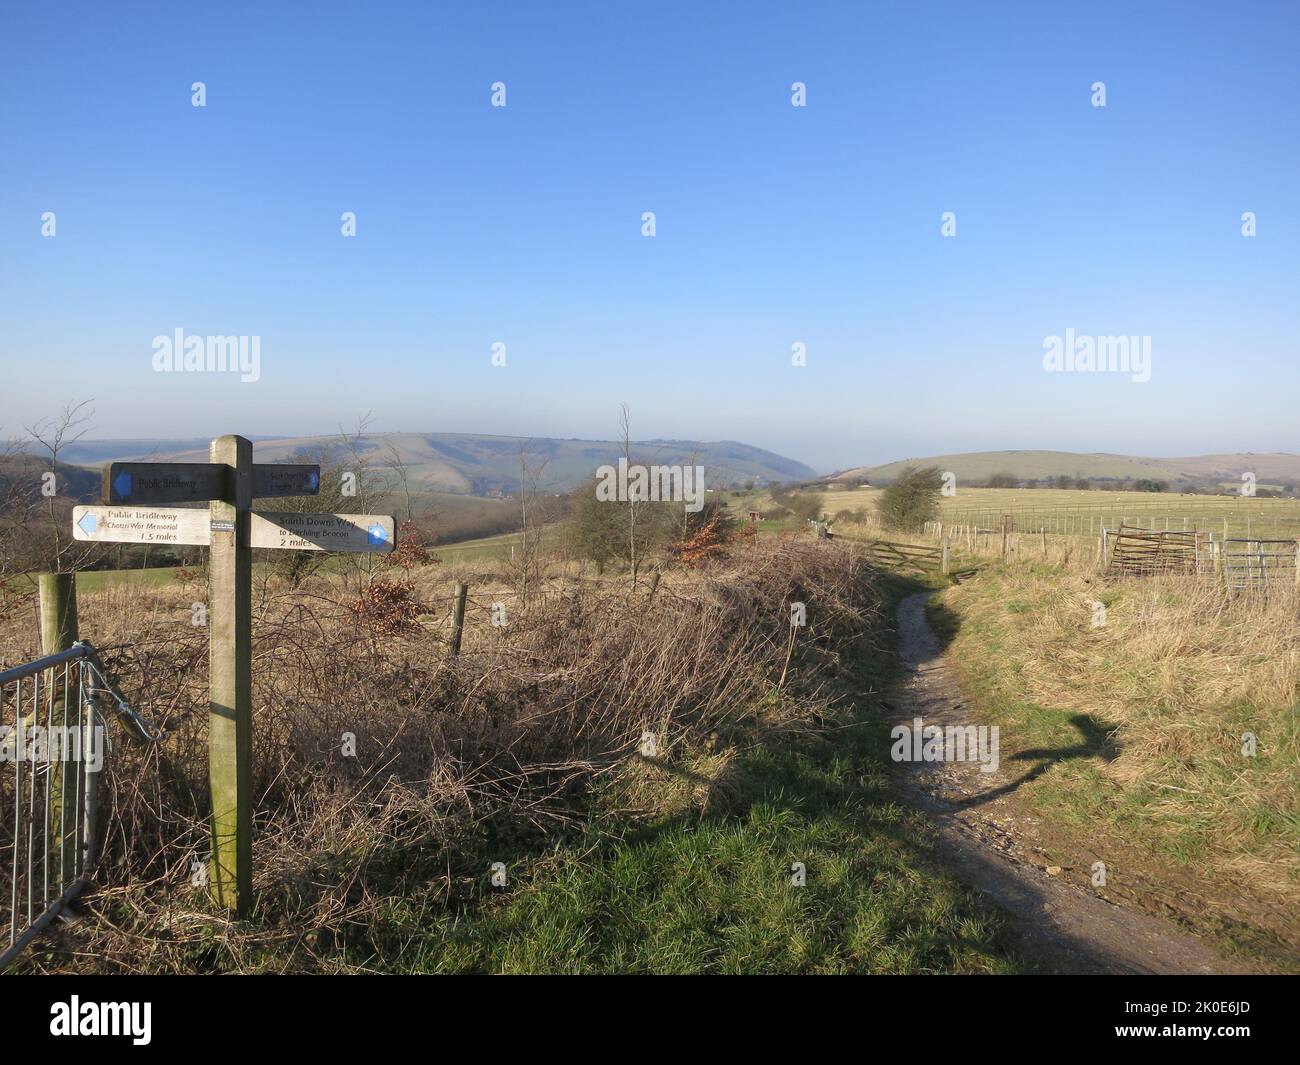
(231, 530)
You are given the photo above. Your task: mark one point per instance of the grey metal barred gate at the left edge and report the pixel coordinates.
(53, 744)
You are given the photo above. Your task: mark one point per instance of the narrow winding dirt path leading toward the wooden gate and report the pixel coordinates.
(989, 841)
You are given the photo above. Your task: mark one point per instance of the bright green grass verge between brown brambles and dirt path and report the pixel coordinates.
(713, 891)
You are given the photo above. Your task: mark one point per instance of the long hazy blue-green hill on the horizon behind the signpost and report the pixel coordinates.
(474, 465)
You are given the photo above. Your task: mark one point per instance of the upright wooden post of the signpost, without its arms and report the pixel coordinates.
(229, 663)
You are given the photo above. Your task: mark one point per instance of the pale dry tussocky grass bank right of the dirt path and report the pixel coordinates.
(1167, 689)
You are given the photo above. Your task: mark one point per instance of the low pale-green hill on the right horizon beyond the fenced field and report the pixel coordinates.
(1201, 470)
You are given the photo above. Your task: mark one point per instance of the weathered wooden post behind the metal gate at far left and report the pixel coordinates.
(59, 633)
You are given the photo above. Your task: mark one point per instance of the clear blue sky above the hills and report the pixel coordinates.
(774, 224)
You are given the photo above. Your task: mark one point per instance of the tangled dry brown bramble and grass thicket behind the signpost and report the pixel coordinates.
(510, 742)
